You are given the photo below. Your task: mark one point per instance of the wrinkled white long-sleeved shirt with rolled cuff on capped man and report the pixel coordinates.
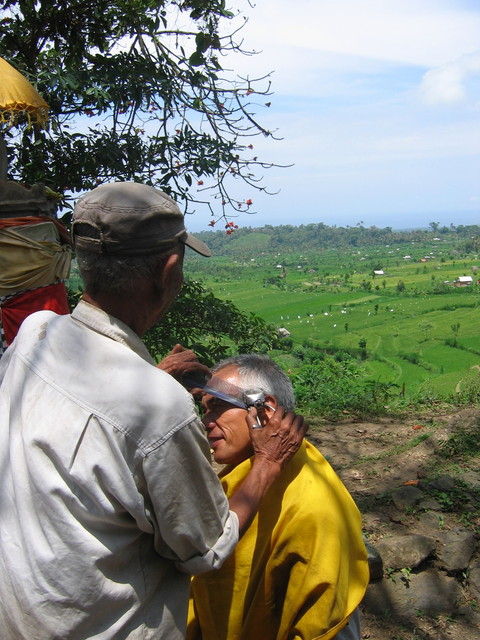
(107, 497)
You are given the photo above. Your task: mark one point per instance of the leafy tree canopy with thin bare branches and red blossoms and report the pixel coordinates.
(149, 75)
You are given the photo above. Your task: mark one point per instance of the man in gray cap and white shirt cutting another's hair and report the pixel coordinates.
(108, 501)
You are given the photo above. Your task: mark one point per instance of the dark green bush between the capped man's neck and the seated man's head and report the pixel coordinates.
(211, 327)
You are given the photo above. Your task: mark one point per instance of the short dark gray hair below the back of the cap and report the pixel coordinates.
(118, 275)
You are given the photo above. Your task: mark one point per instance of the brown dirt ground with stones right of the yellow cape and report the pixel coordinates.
(417, 484)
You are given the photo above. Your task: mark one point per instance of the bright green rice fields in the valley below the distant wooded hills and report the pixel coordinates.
(421, 331)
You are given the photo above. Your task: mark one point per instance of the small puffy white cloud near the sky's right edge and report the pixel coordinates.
(447, 84)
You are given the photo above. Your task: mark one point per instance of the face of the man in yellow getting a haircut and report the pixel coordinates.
(226, 425)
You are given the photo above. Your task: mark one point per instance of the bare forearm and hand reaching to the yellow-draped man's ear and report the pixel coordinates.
(274, 446)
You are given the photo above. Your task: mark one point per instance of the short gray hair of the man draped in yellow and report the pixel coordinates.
(263, 374)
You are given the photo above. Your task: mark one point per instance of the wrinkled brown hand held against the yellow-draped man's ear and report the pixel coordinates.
(280, 438)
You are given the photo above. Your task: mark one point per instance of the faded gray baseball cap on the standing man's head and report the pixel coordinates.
(130, 219)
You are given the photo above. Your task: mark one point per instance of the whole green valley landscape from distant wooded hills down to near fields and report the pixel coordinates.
(396, 297)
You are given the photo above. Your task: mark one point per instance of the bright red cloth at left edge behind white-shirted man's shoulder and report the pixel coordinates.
(16, 308)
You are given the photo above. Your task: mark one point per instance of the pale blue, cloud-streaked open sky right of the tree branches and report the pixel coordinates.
(377, 103)
